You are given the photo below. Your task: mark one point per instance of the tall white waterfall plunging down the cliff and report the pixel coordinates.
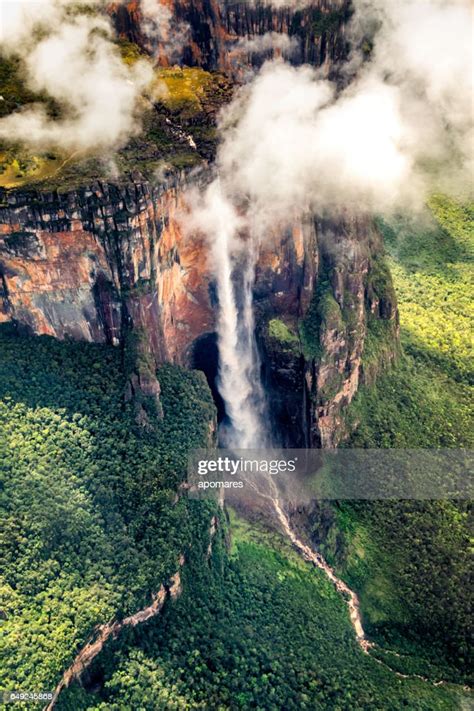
(239, 366)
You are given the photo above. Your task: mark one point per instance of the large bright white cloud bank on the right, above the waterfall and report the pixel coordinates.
(292, 141)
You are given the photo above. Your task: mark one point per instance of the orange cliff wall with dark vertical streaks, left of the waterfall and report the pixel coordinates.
(96, 262)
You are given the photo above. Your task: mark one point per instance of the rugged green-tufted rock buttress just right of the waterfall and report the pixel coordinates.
(317, 302)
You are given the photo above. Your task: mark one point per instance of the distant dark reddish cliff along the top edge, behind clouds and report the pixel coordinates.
(215, 29)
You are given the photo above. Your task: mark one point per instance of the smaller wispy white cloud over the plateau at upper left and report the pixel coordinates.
(69, 55)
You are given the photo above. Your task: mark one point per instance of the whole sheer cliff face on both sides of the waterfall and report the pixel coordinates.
(97, 264)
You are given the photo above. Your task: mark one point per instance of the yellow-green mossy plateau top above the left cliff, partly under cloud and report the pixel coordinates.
(182, 103)
